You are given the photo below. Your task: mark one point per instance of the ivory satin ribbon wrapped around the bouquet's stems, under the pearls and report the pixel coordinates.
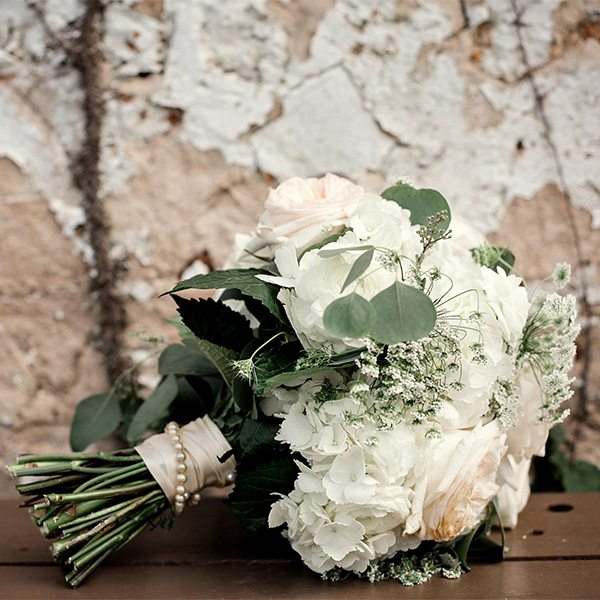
(203, 444)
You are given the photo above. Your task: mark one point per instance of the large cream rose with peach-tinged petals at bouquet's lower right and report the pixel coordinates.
(460, 473)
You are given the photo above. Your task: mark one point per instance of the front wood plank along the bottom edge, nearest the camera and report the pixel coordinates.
(556, 580)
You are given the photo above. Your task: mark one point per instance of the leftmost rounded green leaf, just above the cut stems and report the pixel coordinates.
(95, 418)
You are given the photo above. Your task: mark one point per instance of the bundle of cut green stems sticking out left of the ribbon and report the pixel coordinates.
(89, 504)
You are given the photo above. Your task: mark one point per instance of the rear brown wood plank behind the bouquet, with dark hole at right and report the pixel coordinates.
(212, 532)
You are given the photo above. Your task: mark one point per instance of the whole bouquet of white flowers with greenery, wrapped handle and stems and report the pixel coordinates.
(374, 372)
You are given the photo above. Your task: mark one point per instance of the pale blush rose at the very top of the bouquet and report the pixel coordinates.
(306, 211)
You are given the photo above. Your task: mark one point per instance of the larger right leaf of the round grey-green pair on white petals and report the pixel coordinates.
(403, 313)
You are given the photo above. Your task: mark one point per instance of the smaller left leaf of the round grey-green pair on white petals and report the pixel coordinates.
(349, 317)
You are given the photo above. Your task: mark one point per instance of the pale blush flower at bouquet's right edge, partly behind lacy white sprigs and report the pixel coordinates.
(528, 436)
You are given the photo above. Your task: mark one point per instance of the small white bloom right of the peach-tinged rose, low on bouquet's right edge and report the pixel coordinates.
(513, 479)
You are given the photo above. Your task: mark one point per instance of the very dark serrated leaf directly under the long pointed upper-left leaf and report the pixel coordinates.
(214, 322)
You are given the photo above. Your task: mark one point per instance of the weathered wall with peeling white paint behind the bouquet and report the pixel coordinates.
(137, 136)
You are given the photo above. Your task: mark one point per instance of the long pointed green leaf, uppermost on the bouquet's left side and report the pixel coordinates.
(239, 279)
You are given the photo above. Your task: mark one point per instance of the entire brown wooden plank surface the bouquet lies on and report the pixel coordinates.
(554, 554)
